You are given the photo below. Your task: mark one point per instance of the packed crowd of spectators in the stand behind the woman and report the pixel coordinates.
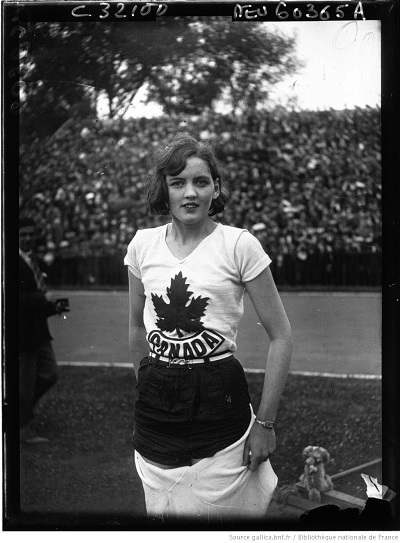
(303, 182)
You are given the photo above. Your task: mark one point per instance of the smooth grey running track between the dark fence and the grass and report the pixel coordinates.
(333, 332)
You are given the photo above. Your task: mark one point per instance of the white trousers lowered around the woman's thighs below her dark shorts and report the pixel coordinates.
(214, 488)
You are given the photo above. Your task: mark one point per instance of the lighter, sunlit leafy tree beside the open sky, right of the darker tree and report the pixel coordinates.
(238, 63)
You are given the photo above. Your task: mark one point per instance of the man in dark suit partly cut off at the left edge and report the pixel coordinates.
(37, 362)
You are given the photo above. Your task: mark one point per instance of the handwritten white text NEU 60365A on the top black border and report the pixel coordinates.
(282, 11)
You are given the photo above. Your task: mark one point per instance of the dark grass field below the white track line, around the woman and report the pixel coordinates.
(88, 465)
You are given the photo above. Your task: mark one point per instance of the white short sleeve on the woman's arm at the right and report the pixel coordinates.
(250, 257)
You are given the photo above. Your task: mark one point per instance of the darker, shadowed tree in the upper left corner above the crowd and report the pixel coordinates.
(67, 66)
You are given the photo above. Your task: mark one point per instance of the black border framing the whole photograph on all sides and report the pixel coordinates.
(14, 15)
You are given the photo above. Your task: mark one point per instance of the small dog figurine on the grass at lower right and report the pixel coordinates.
(314, 477)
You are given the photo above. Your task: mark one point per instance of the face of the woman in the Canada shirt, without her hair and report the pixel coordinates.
(191, 192)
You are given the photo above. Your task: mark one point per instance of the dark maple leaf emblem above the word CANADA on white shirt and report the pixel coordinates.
(177, 315)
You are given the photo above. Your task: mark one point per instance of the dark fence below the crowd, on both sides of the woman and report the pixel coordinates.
(339, 269)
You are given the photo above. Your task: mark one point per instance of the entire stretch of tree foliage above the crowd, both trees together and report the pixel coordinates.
(66, 67)
